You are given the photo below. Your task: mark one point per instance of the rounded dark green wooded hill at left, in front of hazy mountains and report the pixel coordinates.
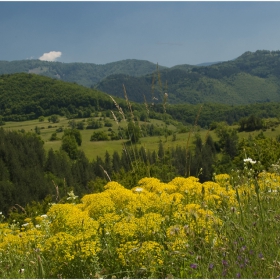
(28, 96)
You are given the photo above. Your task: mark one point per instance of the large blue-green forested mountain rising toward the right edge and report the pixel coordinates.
(252, 77)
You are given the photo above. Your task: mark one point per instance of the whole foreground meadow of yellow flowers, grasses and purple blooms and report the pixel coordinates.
(225, 228)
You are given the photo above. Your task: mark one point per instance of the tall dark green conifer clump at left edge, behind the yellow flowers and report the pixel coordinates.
(21, 170)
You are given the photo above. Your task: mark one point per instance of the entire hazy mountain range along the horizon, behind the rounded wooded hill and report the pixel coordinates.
(252, 77)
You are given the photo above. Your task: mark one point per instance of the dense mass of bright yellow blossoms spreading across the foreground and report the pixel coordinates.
(141, 223)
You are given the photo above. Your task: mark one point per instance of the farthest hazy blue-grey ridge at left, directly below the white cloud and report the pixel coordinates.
(86, 74)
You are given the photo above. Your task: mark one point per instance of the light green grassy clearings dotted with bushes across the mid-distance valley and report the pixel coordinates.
(94, 149)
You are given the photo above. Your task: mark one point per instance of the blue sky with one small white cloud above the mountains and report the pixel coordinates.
(168, 33)
